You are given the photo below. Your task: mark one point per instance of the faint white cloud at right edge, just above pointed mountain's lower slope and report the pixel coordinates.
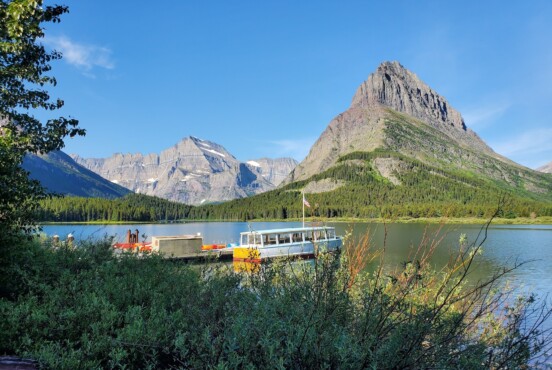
(531, 143)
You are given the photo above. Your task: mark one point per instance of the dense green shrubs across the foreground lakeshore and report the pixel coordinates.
(83, 308)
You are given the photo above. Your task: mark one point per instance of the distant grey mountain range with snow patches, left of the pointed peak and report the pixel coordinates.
(194, 171)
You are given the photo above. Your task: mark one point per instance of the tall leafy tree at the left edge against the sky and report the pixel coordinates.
(24, 78)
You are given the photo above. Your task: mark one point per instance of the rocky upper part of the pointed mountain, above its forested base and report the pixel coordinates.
(394, 110)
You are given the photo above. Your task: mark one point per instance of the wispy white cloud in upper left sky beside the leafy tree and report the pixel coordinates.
(82, 56)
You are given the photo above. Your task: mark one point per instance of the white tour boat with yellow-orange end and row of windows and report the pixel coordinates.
(304, 242)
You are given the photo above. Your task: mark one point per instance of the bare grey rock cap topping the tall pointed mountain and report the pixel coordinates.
(395, 87)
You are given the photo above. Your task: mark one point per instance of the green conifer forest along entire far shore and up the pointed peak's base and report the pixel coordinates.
(425, 192)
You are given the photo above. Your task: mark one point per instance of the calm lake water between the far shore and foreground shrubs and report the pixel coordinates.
(505, 244)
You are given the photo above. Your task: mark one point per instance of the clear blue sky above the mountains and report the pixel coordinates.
(264, 78)
